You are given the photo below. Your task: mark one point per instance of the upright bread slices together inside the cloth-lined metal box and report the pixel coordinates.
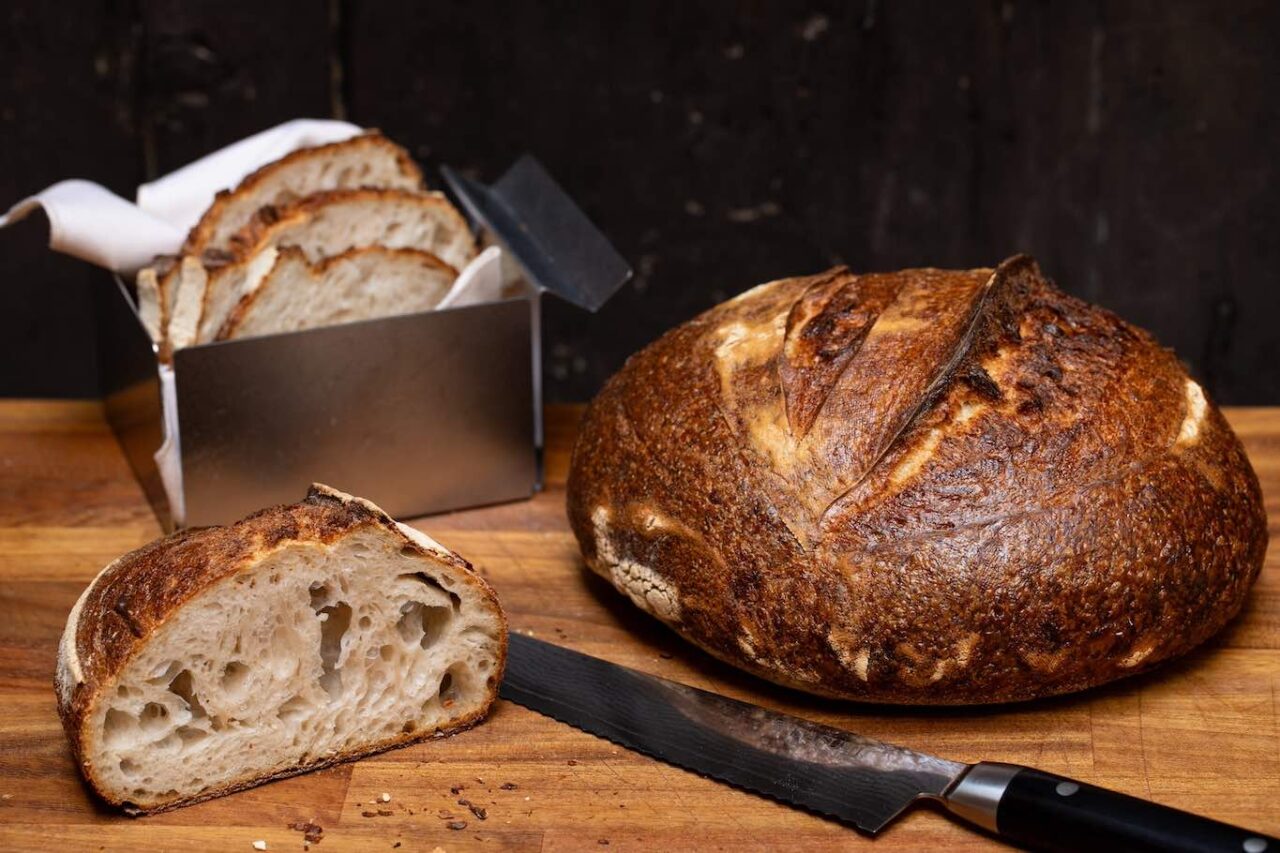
(364, 193)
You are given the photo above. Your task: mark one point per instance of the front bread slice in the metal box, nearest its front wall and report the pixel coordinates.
(358, 285)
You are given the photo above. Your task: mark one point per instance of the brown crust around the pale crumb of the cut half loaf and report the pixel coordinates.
(136, 595)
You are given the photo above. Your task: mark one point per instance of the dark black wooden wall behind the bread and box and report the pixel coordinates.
(1131, 147)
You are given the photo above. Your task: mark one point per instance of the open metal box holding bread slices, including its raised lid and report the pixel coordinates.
(420, 413)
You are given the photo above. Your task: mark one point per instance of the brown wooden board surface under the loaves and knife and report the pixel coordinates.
(1201, 735)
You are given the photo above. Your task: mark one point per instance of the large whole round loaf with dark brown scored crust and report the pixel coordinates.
(921, 487)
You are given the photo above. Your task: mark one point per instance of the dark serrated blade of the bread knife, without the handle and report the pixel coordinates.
(839, 774)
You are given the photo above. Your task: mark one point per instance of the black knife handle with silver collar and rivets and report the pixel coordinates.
(1049, 813)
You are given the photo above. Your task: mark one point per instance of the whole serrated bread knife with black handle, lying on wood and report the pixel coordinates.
(853, 779)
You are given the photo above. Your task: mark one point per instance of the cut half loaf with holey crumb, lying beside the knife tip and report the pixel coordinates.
(223, 658)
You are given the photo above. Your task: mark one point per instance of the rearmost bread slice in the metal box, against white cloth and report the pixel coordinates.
(367, 161)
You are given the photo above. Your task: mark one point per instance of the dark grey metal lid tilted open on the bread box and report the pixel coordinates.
(542, 227)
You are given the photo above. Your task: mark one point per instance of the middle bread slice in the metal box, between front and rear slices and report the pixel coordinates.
(328, 225)
